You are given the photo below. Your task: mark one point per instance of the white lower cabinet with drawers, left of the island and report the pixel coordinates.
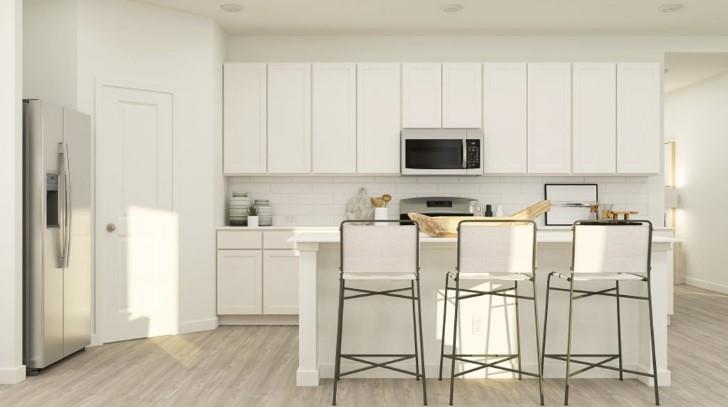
(256, 281)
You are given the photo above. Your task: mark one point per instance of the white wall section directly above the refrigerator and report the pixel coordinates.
(49, 51)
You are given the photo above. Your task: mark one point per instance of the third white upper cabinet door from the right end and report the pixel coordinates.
(549, 118)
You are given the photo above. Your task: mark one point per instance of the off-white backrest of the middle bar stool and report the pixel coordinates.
(496, 246)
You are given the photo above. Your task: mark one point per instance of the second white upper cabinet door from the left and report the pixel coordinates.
(289, 118)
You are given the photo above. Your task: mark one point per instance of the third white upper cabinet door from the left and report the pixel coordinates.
(334, 118)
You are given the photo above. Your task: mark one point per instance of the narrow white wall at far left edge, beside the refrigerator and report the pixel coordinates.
(11, 259)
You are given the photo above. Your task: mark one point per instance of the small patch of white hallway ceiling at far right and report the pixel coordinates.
(685, 69)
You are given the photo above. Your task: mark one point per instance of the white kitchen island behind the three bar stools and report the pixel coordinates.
(487, 325)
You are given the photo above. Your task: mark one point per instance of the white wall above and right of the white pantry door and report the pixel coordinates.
(153, 46)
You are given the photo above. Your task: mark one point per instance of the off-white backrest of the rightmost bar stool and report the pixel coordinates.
(612, 247)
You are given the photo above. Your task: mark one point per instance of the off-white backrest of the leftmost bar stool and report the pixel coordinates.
(368, 247)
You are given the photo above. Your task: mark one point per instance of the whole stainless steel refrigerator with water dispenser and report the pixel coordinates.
(56, 232)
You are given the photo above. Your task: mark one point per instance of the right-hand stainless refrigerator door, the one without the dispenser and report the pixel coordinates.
(77, 276)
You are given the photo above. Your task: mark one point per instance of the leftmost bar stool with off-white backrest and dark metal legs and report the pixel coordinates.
(373, 253)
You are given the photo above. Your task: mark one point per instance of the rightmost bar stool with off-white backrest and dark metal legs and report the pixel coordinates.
(605, 251)
